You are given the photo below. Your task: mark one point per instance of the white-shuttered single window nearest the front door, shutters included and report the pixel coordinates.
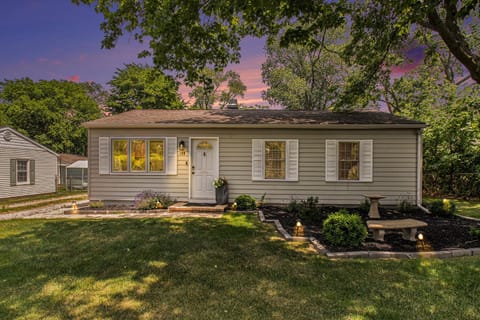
(274, 159)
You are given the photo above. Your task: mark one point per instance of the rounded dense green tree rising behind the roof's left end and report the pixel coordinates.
(143, 87)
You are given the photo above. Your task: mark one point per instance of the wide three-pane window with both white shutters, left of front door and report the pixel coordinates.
(138, 155)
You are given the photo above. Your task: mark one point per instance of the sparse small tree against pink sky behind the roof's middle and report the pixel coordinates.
(206, 92)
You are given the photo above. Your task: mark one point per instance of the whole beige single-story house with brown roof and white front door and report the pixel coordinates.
(289, 155)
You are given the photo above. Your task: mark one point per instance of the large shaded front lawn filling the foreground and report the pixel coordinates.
(229, 268)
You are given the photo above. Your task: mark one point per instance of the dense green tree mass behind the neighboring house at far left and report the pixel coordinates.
(50, 112)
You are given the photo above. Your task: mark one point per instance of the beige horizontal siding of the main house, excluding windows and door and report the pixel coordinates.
(394, 166)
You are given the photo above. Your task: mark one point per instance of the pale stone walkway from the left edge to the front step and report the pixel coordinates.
(58, 212)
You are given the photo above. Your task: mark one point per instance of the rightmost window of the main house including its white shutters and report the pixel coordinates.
(349, 160)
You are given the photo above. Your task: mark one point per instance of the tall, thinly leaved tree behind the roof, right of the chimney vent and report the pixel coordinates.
(305, 76)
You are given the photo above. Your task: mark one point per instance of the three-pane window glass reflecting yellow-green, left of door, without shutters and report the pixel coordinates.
(138, 155)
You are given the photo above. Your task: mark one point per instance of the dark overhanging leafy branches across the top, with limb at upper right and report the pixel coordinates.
(188, 36)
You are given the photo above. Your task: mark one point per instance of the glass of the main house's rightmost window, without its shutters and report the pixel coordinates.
(348, 160)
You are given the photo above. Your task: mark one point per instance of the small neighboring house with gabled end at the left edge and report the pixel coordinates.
(26, 167)
